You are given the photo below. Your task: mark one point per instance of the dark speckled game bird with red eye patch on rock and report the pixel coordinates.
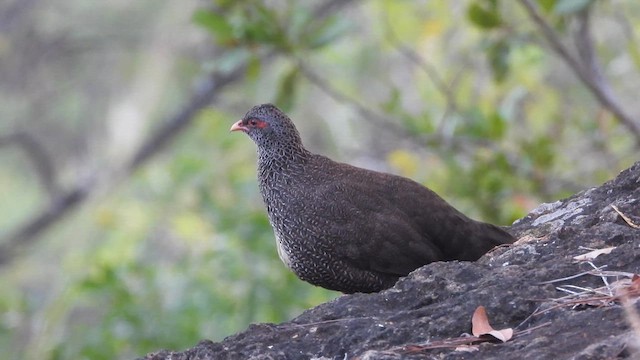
(351, 229)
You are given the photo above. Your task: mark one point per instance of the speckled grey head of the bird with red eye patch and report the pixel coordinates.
(268, 127)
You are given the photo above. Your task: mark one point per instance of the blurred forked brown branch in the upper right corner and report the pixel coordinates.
(584, 71)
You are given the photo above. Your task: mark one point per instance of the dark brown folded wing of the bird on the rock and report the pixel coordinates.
(382, 222)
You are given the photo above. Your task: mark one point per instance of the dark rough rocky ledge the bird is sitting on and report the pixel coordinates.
(561, 299)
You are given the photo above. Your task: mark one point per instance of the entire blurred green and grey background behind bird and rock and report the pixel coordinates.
(130, 218)
